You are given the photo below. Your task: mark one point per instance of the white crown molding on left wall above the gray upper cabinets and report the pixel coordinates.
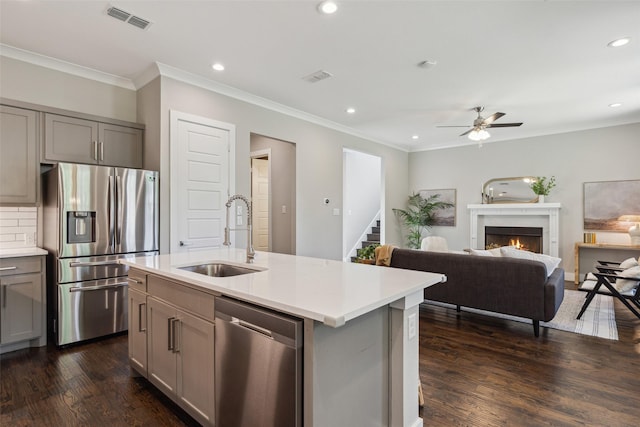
(65, 67)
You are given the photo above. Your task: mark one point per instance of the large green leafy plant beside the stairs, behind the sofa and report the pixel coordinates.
(419, 216)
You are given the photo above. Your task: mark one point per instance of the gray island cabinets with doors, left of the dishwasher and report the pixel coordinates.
(176, 324)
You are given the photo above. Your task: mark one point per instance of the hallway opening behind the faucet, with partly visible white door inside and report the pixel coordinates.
(273, 192)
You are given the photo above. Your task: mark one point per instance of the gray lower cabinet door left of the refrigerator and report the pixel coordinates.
(21, 302)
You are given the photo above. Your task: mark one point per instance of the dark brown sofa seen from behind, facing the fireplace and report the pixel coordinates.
(504, 285)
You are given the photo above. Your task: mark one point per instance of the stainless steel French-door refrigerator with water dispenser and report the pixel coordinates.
(94, 216)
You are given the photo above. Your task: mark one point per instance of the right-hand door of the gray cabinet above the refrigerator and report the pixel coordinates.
(120, 146)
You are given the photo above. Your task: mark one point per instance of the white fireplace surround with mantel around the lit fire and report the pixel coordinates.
(545, 215)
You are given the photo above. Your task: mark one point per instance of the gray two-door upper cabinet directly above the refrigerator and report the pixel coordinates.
(76, 140)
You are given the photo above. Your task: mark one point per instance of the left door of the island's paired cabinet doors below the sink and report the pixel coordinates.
(161, 360)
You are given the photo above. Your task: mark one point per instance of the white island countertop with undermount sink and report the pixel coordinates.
(332, 292)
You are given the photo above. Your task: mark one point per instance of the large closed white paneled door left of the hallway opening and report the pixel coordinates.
(201, 186)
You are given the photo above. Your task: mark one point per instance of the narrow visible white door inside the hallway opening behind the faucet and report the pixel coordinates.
(260, 198)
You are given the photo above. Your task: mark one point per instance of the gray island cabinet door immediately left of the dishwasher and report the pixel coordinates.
(194, 349)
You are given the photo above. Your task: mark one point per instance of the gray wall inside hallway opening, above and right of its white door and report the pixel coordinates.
(283, 191)
